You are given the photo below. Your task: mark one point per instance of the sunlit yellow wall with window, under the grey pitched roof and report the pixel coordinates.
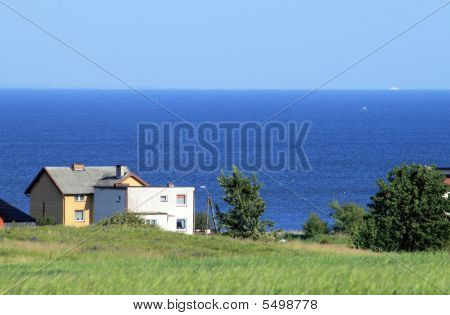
(70, 205)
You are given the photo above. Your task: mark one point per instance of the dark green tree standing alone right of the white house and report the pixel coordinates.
(247, 206)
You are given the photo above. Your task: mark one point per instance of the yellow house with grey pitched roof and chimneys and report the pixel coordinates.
(65, 195)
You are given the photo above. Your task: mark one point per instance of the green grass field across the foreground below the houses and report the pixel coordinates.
(123, 260)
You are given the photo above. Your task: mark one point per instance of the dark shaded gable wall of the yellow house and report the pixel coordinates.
(45, 195)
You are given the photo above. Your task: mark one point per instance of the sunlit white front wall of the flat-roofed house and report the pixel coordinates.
(147, 200)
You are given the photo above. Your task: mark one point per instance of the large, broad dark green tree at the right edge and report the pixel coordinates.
(408, 213)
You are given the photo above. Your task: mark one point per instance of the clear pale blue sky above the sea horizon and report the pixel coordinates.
(225, 44)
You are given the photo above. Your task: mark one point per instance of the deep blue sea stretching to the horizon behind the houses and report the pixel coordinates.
(348, 148)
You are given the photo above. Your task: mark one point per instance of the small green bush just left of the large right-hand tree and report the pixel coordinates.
(348, 217)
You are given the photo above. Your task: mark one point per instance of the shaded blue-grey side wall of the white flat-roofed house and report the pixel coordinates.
(106, 204)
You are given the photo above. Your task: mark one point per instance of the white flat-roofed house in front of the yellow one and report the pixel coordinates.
(171, 208)
